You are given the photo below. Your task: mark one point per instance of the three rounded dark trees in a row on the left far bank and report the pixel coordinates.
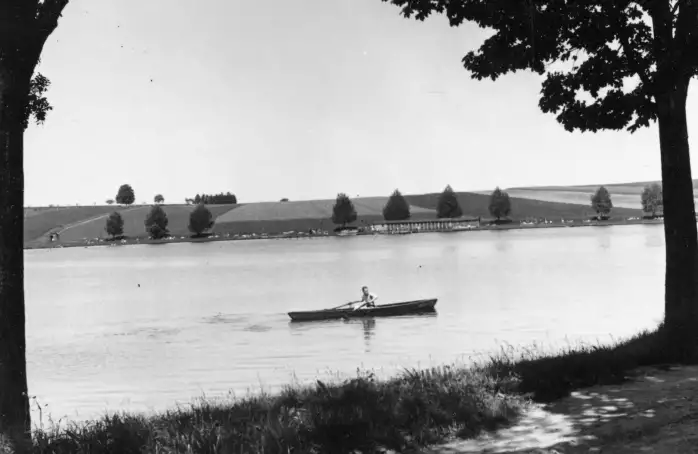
(156, 222)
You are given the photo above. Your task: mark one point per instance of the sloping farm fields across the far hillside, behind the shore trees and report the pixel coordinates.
(78, 223)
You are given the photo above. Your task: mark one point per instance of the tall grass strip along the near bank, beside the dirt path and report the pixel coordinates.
(417, 408)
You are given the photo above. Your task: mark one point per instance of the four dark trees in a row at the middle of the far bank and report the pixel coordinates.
(397, 208)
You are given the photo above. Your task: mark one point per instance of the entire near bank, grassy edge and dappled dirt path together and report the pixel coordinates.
(522, 400)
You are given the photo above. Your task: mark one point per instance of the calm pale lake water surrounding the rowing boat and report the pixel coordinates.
(144, 327)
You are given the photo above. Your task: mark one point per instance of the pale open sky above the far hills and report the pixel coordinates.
(298, 99)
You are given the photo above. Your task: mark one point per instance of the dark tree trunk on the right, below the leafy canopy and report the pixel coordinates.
(681, 297)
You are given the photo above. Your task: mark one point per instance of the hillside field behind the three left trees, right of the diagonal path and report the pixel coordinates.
(178, 216)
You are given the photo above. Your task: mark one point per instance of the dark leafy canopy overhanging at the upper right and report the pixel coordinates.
(606, 49)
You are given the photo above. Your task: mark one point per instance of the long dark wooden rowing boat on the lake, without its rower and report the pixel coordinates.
(385, 310)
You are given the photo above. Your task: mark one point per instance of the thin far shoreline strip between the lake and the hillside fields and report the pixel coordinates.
(103, 242)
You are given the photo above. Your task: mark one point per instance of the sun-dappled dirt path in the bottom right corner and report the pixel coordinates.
(655, 412)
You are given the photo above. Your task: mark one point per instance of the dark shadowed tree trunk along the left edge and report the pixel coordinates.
(14, 402)
